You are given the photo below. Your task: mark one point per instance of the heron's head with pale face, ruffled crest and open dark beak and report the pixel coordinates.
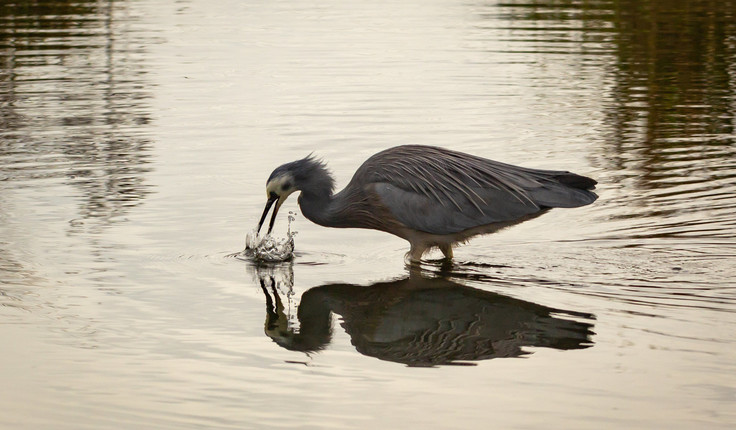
(307, 174)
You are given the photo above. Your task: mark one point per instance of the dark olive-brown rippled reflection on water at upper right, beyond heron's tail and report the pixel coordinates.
(668, 105)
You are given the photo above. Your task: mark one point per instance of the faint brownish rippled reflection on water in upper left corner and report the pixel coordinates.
(72, 103)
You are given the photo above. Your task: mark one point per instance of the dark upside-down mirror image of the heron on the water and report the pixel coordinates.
(424, 322)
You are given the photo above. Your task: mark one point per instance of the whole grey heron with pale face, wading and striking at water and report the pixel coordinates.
(429, 196)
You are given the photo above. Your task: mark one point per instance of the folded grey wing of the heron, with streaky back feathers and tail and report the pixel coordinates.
(441, 191)
